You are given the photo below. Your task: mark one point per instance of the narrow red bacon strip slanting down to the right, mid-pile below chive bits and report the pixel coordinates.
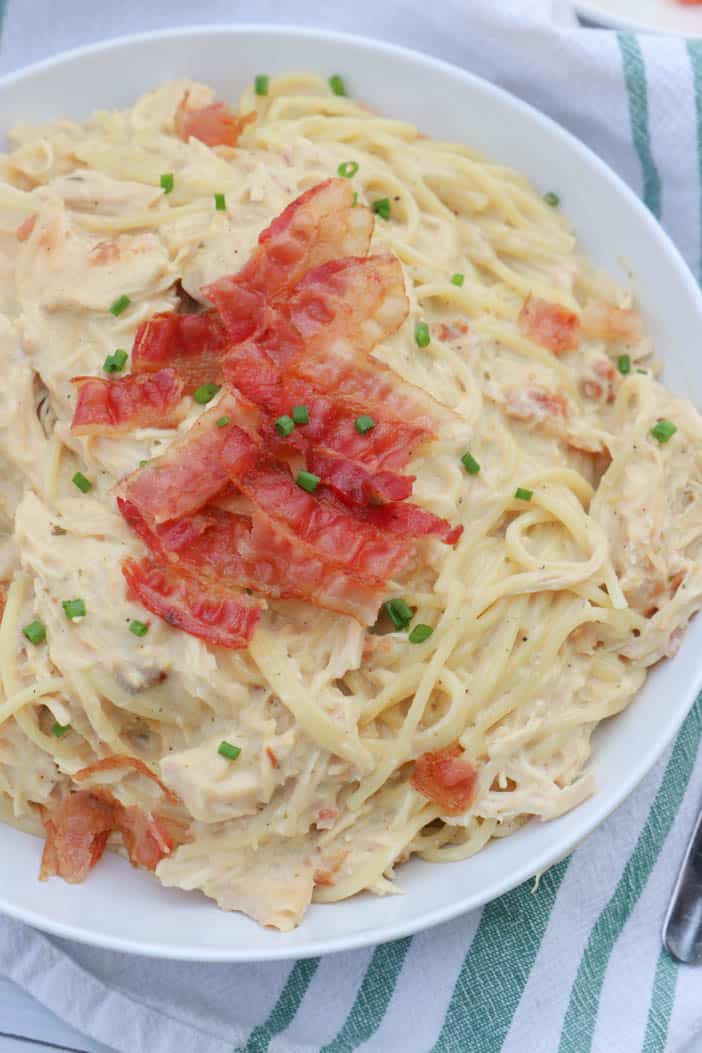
(319, 522)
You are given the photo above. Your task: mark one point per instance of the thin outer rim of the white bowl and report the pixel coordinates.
(581, 824)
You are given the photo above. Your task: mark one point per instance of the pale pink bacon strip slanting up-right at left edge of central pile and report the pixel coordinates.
(189, 474)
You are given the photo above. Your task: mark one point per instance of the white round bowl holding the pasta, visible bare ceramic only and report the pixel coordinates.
(128, 910)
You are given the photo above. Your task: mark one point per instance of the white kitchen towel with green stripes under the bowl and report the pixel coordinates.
(570, 966)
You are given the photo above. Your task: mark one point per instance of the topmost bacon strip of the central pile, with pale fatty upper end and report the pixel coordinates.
(319, 226)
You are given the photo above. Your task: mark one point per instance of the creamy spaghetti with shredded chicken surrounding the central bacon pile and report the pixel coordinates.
(576, 476)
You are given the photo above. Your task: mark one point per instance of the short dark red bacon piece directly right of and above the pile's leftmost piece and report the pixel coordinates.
(192, 345)
